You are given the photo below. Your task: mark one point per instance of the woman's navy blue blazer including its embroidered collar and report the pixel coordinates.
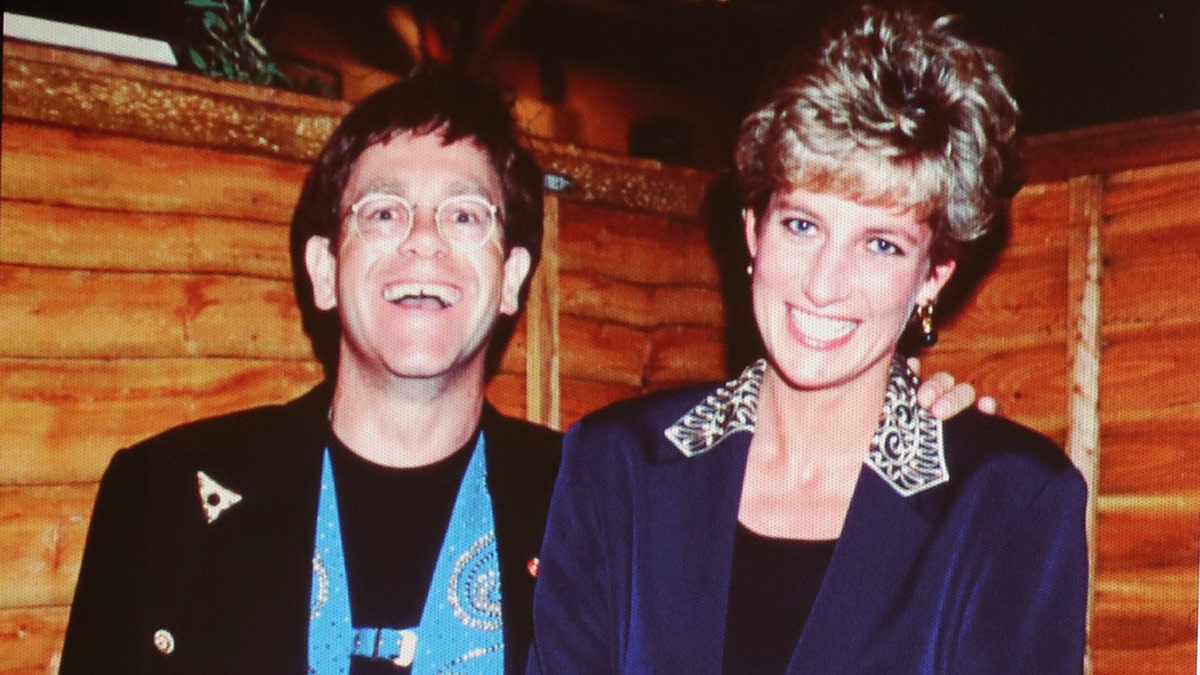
(963, 552)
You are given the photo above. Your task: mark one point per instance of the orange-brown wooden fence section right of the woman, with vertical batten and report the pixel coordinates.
(1089, 330)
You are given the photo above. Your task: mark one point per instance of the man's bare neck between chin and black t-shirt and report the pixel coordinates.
(407, 423)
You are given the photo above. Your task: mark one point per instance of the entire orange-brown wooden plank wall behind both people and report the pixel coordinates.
(145, 283)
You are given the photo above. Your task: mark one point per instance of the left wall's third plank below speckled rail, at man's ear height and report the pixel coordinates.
(79, 314)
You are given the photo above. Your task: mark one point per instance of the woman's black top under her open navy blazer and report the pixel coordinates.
(772, 590)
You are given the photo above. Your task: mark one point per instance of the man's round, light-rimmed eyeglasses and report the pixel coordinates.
(465, 222)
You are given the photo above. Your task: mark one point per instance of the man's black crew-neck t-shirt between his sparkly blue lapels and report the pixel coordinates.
(394, 522)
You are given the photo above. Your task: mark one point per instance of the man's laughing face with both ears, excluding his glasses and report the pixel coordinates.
(417, 307)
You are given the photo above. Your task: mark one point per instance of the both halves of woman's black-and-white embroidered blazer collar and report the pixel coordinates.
(908, 451)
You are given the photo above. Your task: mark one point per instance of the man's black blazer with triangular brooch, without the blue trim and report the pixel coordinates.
(163, 590)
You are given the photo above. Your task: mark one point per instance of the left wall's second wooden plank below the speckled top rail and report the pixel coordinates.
(83, 238)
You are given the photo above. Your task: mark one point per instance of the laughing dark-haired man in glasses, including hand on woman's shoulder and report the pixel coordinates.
(391, 519)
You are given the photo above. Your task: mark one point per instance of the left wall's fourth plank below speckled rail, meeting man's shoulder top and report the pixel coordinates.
(61, 421)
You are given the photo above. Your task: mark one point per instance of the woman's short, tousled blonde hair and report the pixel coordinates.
(895, 107)
